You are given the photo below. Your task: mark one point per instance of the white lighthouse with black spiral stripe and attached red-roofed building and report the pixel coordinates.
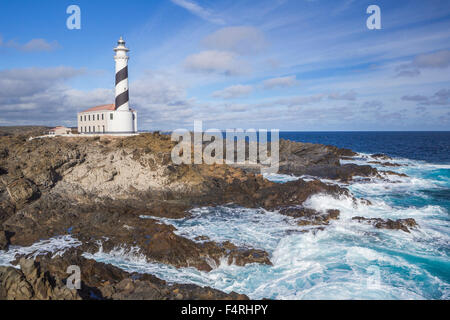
(115, 118)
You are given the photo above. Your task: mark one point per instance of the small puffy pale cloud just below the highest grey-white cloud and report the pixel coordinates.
(221, 62)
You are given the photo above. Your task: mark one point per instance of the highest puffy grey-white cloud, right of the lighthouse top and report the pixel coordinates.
(241, 40)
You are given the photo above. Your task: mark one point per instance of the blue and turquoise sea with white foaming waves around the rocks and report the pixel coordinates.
(347, 260)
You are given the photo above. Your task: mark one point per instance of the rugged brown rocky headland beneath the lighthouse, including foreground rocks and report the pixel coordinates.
(98, 189)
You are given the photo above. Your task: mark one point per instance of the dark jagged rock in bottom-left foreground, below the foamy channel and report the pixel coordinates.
(100, 281)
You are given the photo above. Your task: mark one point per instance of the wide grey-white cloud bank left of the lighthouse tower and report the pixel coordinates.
(41, 96)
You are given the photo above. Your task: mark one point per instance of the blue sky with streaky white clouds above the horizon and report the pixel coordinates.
(288, 65)
